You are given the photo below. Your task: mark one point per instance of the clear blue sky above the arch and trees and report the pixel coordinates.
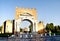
(48, 11)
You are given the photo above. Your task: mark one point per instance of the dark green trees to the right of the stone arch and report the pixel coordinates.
(53, 29)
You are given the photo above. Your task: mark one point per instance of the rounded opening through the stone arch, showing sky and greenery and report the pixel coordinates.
(26, 26)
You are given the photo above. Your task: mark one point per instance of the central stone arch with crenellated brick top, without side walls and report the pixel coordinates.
(26, 14)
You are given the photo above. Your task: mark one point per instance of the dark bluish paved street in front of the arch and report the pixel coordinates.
(29, 37)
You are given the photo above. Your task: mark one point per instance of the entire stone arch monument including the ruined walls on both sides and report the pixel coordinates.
(23, 14)
